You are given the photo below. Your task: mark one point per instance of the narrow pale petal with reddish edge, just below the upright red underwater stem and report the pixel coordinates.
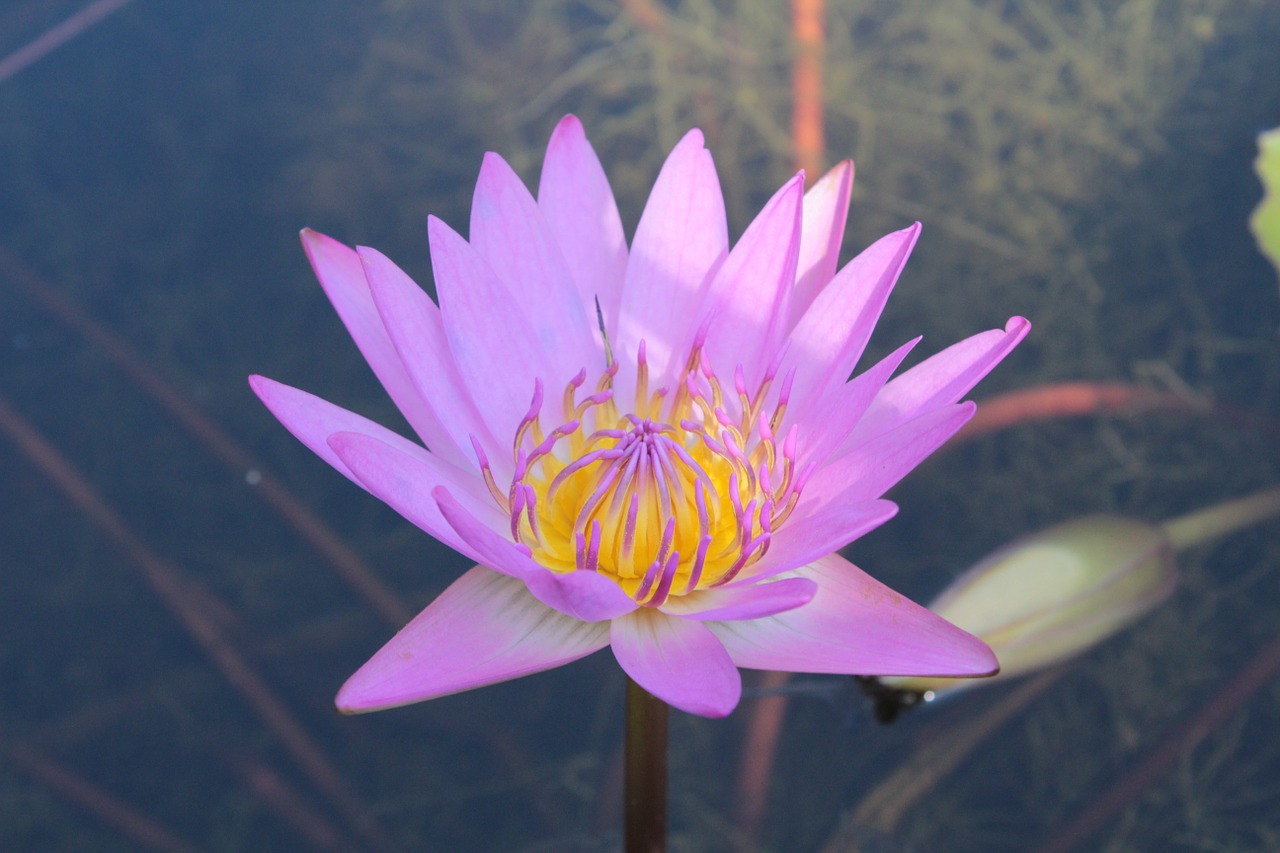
(826, 211)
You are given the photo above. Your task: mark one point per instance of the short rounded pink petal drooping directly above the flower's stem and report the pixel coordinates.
(678, 660)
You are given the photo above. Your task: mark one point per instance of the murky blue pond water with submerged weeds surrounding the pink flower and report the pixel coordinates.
(1082, 163)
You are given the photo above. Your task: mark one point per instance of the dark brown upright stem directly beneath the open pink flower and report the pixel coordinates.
(646, 822)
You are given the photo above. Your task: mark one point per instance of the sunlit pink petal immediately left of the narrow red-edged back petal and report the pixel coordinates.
(751, 297)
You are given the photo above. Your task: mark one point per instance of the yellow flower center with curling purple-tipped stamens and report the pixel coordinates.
(670, 498)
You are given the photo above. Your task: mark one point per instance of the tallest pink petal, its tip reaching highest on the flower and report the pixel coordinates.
(578, 203)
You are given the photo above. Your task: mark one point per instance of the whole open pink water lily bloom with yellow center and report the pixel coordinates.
(653, 448)
